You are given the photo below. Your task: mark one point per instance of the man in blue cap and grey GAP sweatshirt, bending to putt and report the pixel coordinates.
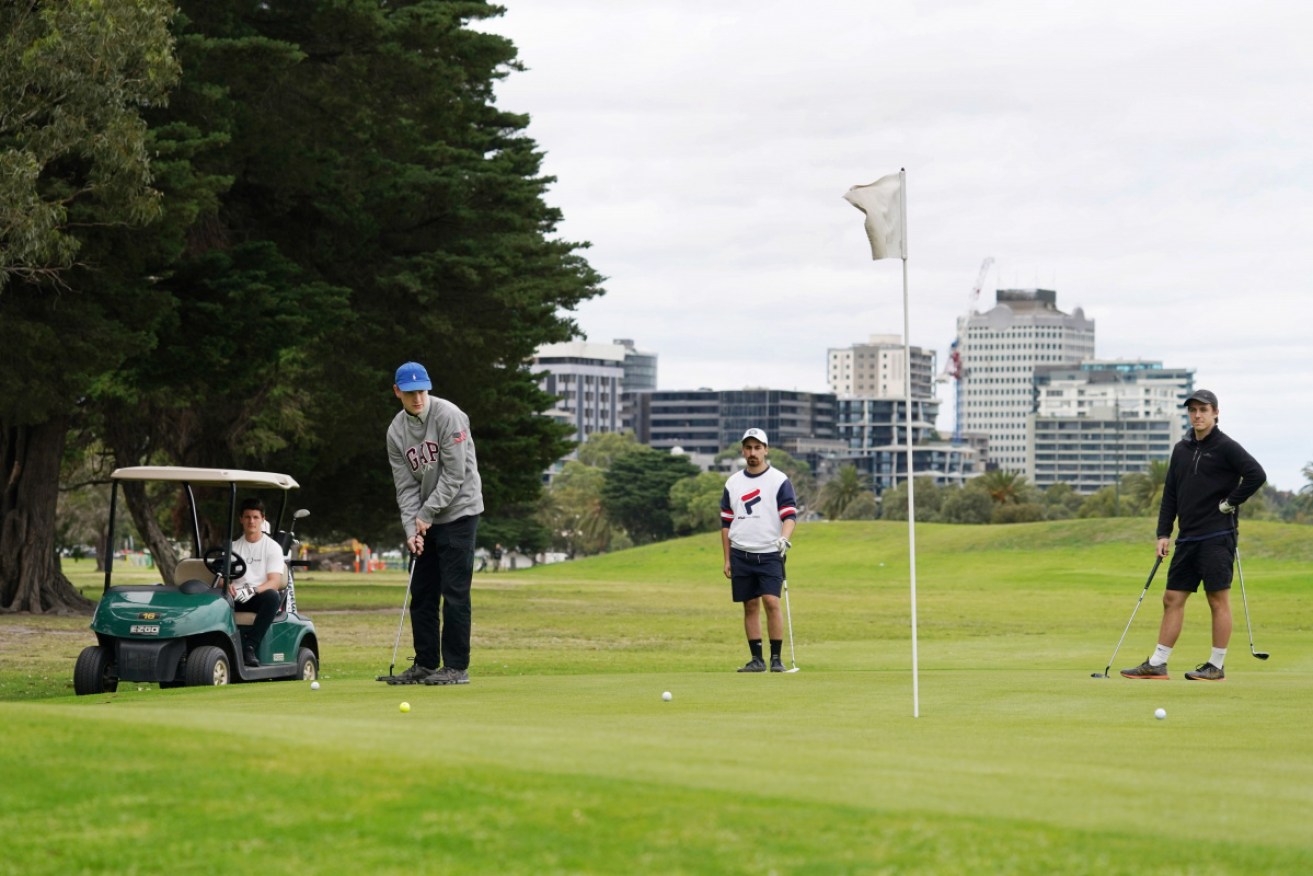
(441, 498)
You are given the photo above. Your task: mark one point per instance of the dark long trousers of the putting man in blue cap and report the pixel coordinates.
(442, 580)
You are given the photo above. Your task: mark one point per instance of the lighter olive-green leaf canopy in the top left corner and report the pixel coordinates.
(73, 141)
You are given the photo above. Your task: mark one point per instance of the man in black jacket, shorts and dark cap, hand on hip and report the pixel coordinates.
(1209, 479)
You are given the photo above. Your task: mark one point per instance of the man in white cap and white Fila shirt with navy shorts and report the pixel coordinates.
(758, 514)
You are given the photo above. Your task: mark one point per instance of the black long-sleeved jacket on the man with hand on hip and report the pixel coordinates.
(1199, 476)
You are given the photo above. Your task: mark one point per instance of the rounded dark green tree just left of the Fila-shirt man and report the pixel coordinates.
(636, 493)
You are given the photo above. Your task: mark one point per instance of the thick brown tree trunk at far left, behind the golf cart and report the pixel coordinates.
(31, 580)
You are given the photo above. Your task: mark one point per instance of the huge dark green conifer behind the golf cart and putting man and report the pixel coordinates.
(349, 198)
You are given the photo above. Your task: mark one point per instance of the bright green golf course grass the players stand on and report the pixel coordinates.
(563, 758)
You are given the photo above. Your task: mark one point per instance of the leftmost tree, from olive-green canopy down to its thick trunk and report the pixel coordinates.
(74, 173)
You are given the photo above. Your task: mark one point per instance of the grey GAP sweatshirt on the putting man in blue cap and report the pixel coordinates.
(434, 466)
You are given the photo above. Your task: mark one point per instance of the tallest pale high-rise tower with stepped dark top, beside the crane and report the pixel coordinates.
(1001, 350)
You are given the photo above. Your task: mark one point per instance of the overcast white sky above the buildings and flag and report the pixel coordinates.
(1152, 162)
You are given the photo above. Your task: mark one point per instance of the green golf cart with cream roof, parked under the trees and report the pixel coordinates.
(187, 631)
